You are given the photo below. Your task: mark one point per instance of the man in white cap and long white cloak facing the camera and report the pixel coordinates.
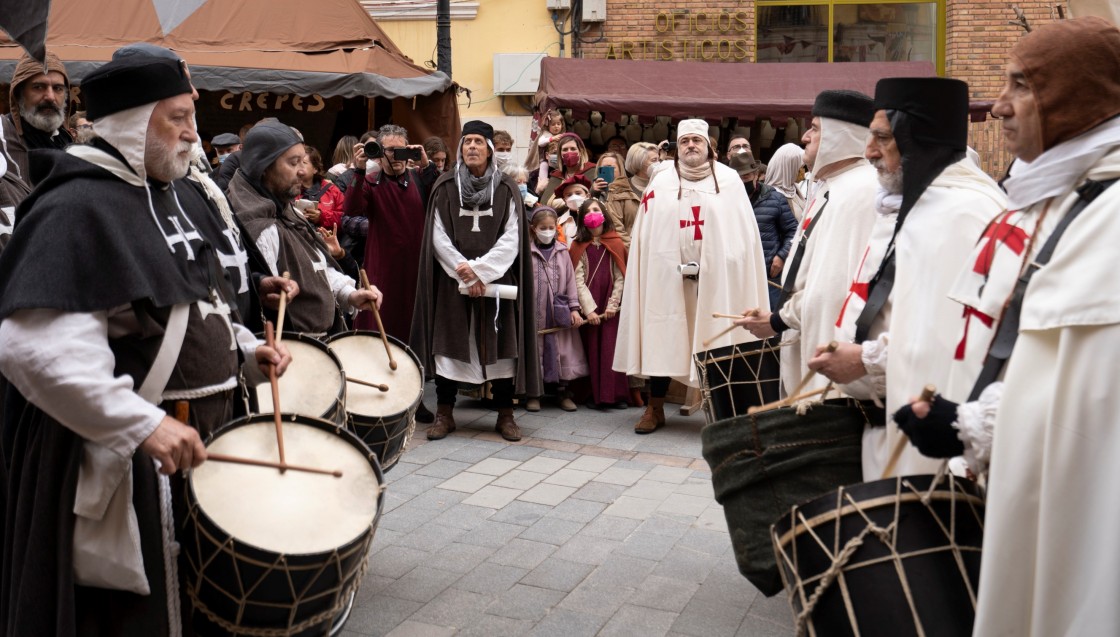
(695, 251)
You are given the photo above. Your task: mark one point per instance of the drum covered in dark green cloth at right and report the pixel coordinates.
(764, 464)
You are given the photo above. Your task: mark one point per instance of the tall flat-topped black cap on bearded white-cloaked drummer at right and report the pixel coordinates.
(939, 108)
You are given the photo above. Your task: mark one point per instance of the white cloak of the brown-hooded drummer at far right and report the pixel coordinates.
(1051, 551)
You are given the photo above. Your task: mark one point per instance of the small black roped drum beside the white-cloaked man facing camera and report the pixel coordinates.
(739, 377)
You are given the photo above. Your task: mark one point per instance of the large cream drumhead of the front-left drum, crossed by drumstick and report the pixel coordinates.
(296, 512)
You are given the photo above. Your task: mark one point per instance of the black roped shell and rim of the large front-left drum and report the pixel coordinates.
(286, 589)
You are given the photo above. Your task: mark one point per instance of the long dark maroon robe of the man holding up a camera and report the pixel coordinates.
(395, 210)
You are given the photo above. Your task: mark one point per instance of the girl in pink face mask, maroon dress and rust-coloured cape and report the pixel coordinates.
(601, 267)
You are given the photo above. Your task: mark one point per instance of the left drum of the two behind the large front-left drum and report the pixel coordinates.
(314, 385)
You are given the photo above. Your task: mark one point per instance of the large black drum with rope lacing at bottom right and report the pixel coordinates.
(894, 557)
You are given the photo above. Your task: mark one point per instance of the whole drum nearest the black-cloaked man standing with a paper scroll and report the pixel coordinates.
(384, 420)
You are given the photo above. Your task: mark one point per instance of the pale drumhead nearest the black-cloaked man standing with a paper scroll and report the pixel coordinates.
(363, 358)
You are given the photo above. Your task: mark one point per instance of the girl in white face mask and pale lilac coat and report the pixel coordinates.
(557, 307)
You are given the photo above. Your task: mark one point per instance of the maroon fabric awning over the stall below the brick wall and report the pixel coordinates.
(683, 90)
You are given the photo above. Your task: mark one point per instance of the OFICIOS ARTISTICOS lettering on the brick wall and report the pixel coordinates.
(690, 35)
